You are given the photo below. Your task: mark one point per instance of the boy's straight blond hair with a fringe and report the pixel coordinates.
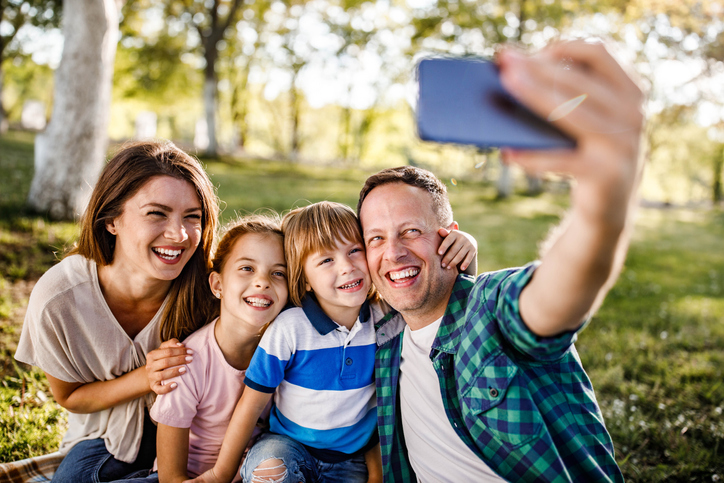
(311, 229)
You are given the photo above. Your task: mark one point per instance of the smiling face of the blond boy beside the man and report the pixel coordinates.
(340, 280)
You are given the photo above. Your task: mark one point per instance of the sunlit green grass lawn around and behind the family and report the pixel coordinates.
(655, 350)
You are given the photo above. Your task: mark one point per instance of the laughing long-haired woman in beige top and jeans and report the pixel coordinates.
(136, 276)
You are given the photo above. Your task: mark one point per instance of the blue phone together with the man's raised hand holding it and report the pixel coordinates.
(568, 109)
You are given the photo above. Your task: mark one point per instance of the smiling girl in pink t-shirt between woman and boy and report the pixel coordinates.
(249, 277)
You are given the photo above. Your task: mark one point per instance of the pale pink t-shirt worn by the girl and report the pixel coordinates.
(203, 401)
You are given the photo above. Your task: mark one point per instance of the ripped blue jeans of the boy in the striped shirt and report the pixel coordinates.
(300, 465)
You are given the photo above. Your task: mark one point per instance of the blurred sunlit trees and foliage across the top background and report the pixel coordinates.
(332, 81)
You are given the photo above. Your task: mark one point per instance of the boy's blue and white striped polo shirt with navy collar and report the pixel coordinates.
(323, 375)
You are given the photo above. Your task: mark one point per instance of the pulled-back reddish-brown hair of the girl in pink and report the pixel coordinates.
(268, 223)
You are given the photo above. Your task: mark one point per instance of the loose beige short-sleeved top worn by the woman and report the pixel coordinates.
(71, 334)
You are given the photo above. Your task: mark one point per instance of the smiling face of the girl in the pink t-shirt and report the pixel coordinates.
(253, 280)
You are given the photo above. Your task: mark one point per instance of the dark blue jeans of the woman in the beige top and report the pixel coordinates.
(90, 462)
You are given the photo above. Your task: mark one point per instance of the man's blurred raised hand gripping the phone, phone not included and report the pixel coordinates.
(604, 114)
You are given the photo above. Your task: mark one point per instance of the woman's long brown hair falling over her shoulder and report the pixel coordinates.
(189, 302)
